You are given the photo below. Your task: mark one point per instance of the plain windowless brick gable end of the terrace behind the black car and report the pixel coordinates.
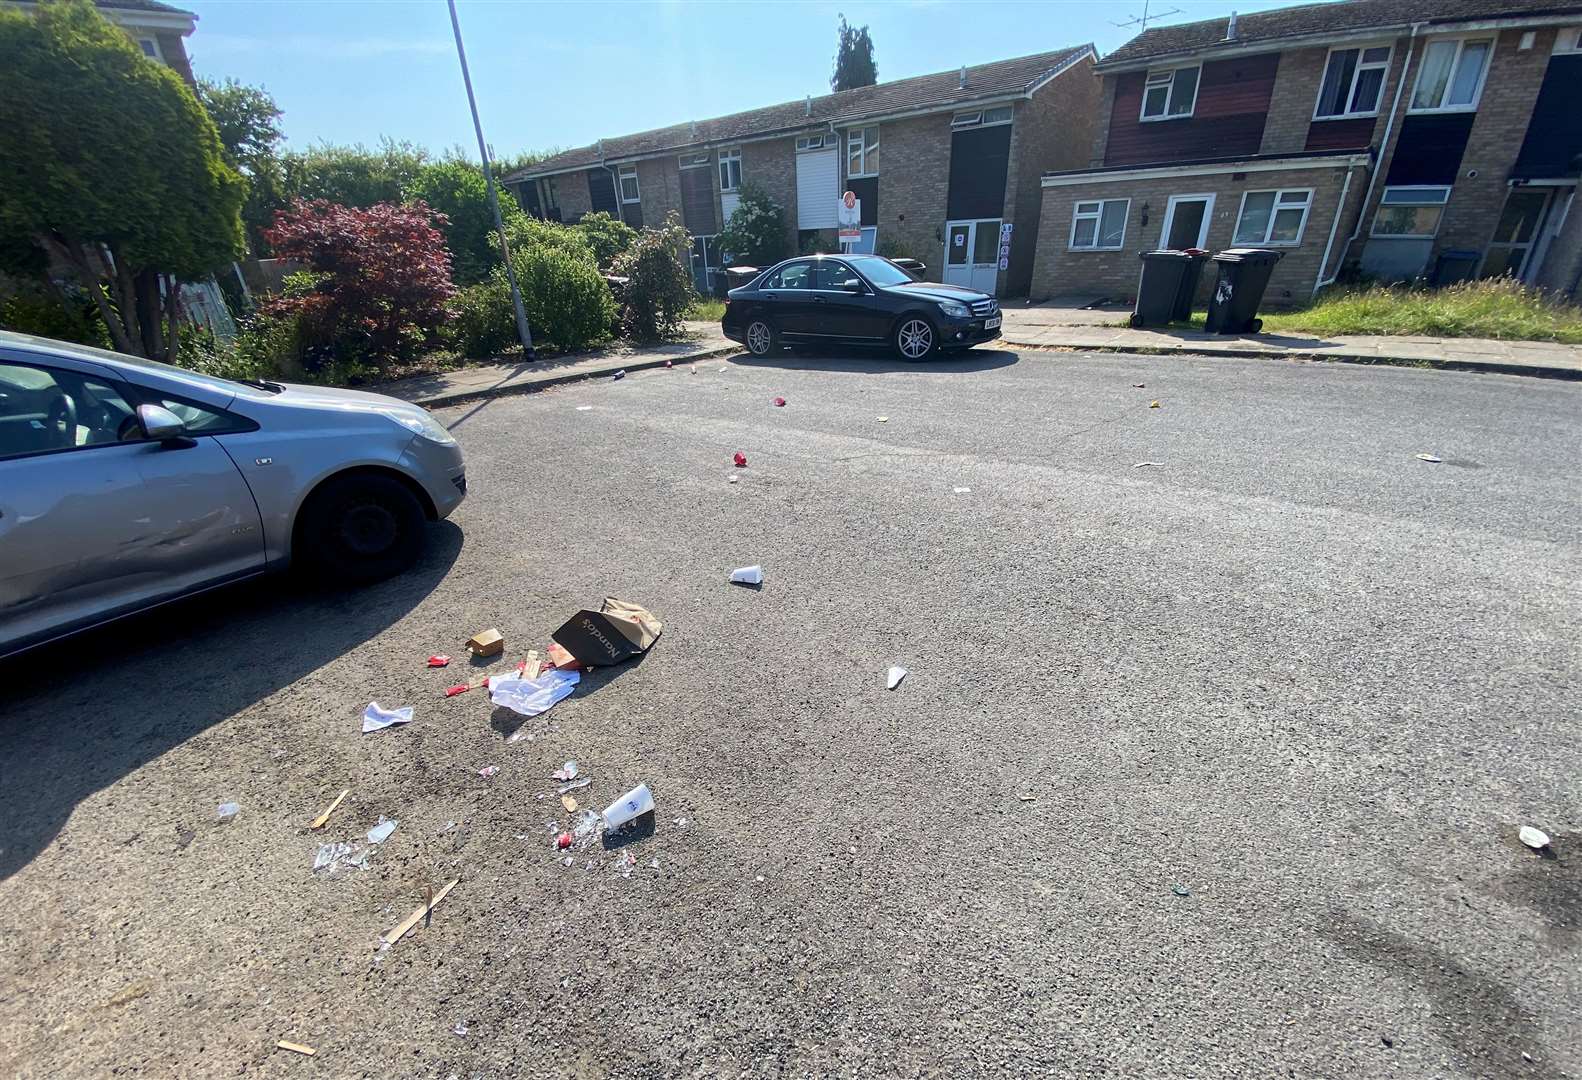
(1053, 132)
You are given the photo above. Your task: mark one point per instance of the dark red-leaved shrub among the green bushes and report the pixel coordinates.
(382, 274)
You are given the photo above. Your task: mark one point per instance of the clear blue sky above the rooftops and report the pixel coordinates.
(562, 75)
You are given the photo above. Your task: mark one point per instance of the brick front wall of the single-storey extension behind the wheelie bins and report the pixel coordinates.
(1059, 270)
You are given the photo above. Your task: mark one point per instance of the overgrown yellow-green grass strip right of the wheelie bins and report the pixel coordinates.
(1501, 309)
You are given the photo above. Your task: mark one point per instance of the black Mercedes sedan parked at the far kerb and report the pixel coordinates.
(857, 300)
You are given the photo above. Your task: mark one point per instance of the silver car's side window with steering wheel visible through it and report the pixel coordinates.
(45, 410)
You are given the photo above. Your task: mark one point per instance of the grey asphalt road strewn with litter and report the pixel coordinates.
(1205, 769)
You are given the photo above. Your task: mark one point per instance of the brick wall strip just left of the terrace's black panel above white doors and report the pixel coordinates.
(915, 176)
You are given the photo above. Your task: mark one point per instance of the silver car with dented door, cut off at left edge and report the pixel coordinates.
(127, 485)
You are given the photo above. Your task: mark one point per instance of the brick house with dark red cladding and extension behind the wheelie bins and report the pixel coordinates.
(1396, 138)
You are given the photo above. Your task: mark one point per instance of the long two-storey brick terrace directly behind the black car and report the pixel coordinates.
(942, 165)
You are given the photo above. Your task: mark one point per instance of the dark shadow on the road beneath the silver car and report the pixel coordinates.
(81, 714)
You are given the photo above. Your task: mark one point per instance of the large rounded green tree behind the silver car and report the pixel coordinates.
(113, 167)
